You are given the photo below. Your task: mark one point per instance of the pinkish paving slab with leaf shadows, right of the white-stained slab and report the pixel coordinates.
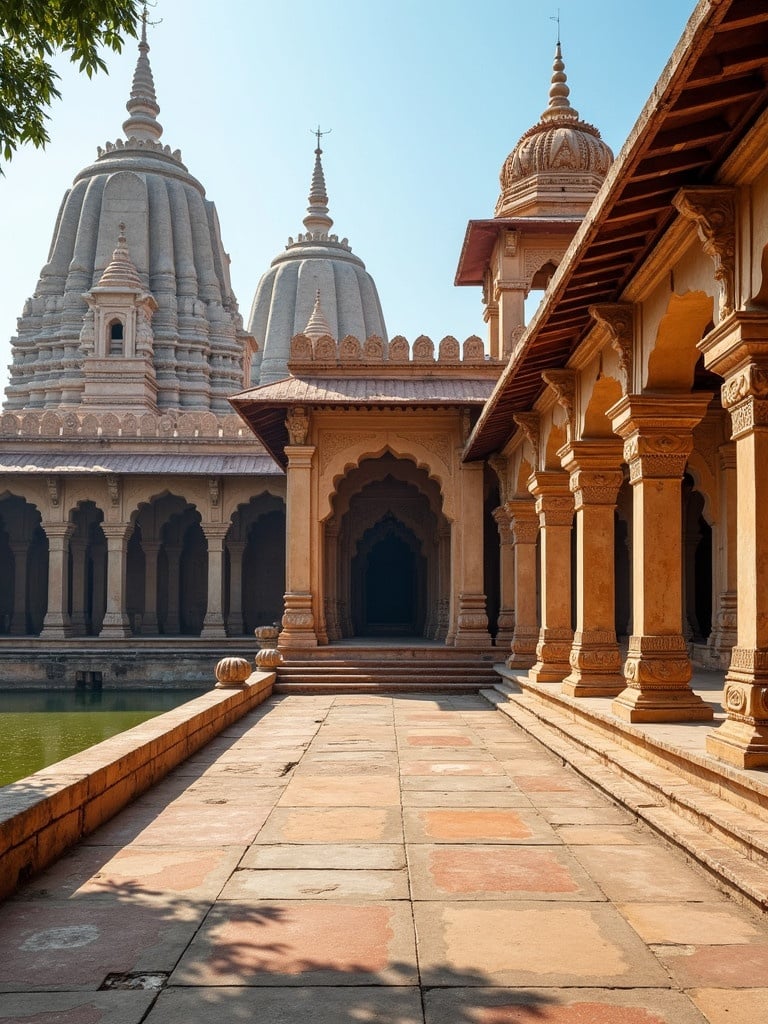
(303, 944)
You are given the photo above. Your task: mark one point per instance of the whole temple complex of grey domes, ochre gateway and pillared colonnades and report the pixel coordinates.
(581, 496)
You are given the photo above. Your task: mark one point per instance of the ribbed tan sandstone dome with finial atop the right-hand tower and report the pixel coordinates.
(559, 164)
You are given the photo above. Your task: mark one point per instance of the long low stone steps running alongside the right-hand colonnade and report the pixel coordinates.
(715, 815)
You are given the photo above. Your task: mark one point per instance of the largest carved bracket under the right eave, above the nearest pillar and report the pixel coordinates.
(714, 212)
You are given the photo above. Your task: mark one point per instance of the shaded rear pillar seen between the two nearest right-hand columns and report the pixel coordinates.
(723, 637)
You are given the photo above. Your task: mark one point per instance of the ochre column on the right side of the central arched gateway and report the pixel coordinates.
(472, 621)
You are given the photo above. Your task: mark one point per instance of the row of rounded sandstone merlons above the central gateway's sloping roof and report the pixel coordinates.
(311, 353)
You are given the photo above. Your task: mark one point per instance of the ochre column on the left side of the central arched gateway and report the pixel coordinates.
(298, 618)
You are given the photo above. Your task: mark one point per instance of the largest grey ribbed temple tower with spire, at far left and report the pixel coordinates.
(199, 350)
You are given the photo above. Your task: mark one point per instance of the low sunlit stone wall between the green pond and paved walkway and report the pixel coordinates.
(45, 815)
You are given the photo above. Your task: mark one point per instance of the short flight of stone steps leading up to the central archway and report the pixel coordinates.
(387, 669)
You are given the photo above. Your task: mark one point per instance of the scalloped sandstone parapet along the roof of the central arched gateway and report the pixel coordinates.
(311, 356)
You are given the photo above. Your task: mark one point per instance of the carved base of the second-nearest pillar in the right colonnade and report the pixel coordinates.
(658, 672)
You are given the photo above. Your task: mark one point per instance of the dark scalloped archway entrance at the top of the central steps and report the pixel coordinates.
(388, 554)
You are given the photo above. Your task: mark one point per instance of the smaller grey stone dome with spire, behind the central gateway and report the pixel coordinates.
(316, 269)
